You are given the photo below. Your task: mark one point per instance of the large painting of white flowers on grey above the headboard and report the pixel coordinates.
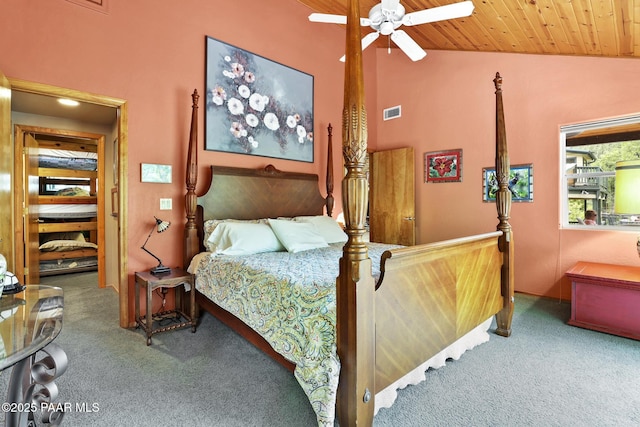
(256, 106)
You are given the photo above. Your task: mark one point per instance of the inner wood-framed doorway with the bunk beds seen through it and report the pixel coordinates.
(59, 187)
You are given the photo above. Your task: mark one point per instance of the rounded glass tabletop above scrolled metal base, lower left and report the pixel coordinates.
(29, 321)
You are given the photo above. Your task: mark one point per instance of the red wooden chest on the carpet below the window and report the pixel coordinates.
(606, 298)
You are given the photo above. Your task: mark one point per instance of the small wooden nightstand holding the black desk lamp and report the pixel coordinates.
(173, 279)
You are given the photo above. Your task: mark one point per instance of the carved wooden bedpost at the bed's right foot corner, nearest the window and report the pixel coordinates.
(503, 205)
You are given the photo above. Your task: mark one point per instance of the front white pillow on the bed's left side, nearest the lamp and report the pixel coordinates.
(244, 238)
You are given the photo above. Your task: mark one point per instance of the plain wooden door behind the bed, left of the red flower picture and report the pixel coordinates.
(392, 197)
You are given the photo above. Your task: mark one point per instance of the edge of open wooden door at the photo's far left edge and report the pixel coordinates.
(6, 173)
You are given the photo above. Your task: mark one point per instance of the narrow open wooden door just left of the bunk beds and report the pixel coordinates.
(31, 191)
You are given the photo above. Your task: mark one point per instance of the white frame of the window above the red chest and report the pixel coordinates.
(564, 176)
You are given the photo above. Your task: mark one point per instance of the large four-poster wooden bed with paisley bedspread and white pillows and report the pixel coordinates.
(354, 321)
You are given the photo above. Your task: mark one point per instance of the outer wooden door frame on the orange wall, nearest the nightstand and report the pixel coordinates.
(121, 107)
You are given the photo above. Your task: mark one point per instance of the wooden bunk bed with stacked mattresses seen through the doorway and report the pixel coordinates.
(67, 209)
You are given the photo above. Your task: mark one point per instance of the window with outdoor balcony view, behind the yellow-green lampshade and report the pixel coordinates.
(589, 155)
